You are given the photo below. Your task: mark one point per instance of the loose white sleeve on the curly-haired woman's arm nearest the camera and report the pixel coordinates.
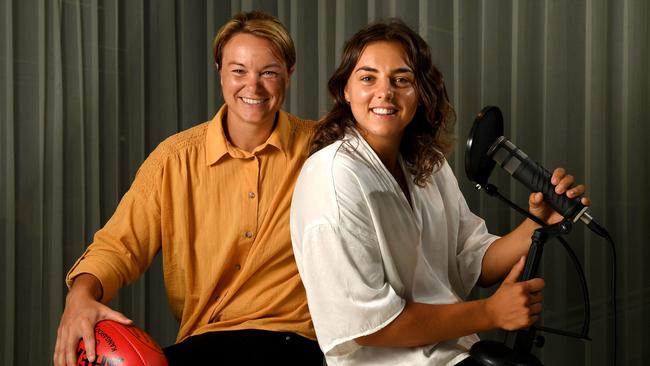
(346, 289)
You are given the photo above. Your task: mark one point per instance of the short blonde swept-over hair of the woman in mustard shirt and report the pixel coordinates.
(258, 24)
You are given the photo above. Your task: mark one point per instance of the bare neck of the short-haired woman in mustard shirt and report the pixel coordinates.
(247, 136)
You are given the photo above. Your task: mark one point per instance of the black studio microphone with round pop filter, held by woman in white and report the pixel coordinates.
(486, 146)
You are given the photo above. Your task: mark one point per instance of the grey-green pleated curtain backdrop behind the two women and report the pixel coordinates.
(90, 87)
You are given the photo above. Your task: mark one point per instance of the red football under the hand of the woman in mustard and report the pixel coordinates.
(123, 345)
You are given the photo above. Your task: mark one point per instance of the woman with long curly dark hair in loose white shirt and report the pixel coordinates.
(385, 243)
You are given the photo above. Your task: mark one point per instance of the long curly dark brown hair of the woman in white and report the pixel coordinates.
(428, 137)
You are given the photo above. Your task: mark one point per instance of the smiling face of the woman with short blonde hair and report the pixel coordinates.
(254, 81)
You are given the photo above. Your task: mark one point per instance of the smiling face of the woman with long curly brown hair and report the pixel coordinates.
(381, 94)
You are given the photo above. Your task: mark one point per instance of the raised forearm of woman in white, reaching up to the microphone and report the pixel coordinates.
(504, 252)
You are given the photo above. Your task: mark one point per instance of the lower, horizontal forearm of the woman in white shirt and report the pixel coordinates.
(422, 324)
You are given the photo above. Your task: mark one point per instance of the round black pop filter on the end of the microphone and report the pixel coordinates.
(487, 128)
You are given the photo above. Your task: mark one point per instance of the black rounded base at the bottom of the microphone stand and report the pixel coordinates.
(492, 353)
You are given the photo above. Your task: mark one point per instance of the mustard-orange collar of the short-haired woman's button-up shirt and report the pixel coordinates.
(218, 146)
